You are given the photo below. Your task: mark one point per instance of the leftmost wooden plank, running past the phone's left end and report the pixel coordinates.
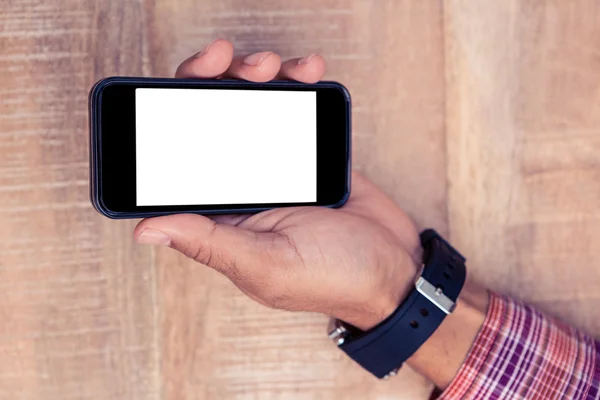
(77, 305)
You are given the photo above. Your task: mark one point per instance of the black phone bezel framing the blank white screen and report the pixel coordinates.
(112, 107)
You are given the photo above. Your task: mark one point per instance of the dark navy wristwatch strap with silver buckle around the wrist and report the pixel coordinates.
(383, 349)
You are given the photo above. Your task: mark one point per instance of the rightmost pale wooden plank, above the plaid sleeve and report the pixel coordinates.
(523, 126)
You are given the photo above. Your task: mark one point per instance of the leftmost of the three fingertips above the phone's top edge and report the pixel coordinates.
(209, 63)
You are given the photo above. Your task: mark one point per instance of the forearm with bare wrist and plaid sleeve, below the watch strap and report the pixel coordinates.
(493, 346)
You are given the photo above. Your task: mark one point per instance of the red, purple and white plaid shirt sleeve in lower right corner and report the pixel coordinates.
(521, 353)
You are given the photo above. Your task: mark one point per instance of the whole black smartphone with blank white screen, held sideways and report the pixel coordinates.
(165, 146)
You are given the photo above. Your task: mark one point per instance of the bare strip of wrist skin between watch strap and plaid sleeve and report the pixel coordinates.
(440, 358)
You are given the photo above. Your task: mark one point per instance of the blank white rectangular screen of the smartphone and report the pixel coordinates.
(207, 146)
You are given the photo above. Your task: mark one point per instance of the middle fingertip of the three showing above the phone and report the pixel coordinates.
(256, 67)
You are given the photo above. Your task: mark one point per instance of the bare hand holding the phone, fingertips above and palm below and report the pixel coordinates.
(356, 263)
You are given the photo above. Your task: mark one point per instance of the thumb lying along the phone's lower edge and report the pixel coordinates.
(223, 247)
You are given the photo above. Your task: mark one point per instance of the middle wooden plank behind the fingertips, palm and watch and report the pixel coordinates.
(216, 343)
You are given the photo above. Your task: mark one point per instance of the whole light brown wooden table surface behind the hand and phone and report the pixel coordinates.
(480, 118)
